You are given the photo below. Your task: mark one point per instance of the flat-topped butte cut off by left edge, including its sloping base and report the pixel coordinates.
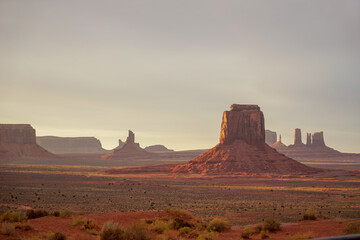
(19, 141)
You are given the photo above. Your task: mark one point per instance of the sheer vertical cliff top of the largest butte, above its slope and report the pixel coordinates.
(245, 122)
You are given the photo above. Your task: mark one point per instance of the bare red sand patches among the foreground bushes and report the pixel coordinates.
(319, 228)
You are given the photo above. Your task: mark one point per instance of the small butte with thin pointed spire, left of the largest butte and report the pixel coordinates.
(129, 150)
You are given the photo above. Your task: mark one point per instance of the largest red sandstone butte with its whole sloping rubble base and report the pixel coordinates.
(242, 148)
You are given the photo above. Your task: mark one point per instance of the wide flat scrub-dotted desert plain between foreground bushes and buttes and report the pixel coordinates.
(242, 200)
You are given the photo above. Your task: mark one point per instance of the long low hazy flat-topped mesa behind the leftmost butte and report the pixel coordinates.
(64, 145)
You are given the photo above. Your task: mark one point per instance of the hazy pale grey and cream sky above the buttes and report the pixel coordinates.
(168, 69)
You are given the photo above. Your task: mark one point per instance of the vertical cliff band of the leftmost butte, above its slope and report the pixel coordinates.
(17, 134)
